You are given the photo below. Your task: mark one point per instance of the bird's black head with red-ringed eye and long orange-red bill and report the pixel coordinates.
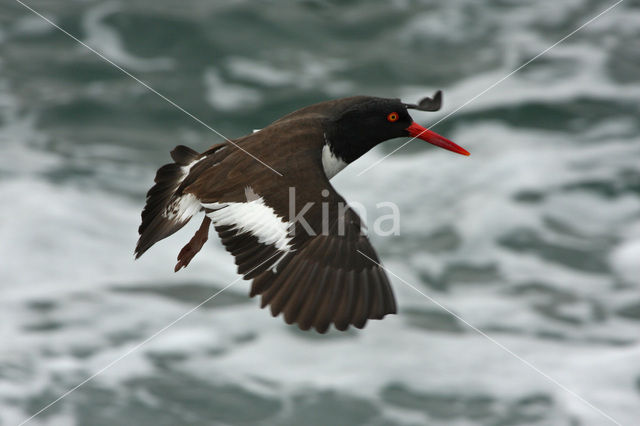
(362, 122)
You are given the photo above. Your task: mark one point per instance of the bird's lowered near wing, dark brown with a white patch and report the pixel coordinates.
(313, 264)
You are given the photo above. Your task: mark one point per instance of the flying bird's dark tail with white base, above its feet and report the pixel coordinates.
(167, 209)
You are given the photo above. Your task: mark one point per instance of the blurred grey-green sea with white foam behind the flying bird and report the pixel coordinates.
(535, 238)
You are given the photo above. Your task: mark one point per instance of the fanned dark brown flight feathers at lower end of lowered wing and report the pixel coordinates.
(330, 279)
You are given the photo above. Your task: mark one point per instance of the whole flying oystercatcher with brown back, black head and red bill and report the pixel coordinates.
(315, 264)
